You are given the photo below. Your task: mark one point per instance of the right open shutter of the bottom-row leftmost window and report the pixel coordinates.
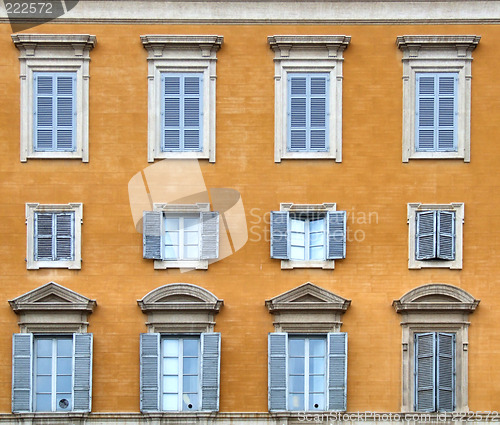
(82, 372)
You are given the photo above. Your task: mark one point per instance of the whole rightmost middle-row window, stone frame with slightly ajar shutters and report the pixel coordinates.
(435, 238)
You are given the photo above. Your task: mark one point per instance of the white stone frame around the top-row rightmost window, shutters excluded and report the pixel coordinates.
(437, 54)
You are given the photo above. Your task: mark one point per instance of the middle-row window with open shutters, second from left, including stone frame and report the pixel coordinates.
(185, 236)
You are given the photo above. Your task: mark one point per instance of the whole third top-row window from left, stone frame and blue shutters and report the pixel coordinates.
(308, 96)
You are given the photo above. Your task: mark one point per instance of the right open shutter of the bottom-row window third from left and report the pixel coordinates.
(337, 371)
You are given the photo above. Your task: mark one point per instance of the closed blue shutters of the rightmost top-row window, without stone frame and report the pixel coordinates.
(436, 112)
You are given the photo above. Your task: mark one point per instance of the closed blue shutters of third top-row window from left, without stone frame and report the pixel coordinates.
(308, 112)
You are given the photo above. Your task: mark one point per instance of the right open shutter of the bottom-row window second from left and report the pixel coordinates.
(210, 371)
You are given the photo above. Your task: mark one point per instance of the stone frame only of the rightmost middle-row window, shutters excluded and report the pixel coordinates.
(413, 208)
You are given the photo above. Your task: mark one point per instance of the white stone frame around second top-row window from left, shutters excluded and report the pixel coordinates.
(181, 54)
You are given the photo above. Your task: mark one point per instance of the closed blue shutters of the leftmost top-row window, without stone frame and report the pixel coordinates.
(54, 112)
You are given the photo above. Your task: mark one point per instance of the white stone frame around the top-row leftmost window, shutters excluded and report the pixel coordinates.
(55, 53)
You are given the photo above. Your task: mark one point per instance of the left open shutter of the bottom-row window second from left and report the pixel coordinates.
(150, 372)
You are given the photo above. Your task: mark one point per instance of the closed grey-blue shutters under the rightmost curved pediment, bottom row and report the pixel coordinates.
(434, 372)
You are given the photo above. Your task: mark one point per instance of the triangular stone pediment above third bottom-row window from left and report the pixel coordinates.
(308, 308)
